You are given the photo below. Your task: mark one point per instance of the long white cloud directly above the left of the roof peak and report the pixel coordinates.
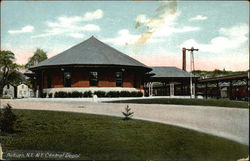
(72, 26)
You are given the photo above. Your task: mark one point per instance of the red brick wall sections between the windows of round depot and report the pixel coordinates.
(80, 78)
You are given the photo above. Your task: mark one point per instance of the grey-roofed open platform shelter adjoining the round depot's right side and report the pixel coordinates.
(169, 81)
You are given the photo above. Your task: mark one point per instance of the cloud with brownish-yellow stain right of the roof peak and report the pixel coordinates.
(161, 25)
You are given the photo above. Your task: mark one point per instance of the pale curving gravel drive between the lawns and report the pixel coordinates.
(230, 123)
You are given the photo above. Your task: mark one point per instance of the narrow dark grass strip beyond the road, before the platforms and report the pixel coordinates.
(203, 102)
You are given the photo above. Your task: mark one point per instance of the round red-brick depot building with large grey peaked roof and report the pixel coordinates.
(89, 66)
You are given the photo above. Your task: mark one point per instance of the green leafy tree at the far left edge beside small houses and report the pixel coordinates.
(8, 69)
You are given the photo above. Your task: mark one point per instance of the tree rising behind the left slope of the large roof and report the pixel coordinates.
(38, 56)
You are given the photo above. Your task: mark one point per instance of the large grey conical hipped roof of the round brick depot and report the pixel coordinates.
(91, 52)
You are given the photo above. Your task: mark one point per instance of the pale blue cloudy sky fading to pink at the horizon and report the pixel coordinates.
(153, 32)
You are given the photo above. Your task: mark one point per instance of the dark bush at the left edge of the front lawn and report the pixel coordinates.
(8, 120)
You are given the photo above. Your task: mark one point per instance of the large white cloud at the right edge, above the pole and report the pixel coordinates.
(228, 39)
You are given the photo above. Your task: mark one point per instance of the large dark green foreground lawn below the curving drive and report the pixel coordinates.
(102, 137)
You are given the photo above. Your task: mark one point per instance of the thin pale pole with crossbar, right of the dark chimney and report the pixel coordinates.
(192, 88)
